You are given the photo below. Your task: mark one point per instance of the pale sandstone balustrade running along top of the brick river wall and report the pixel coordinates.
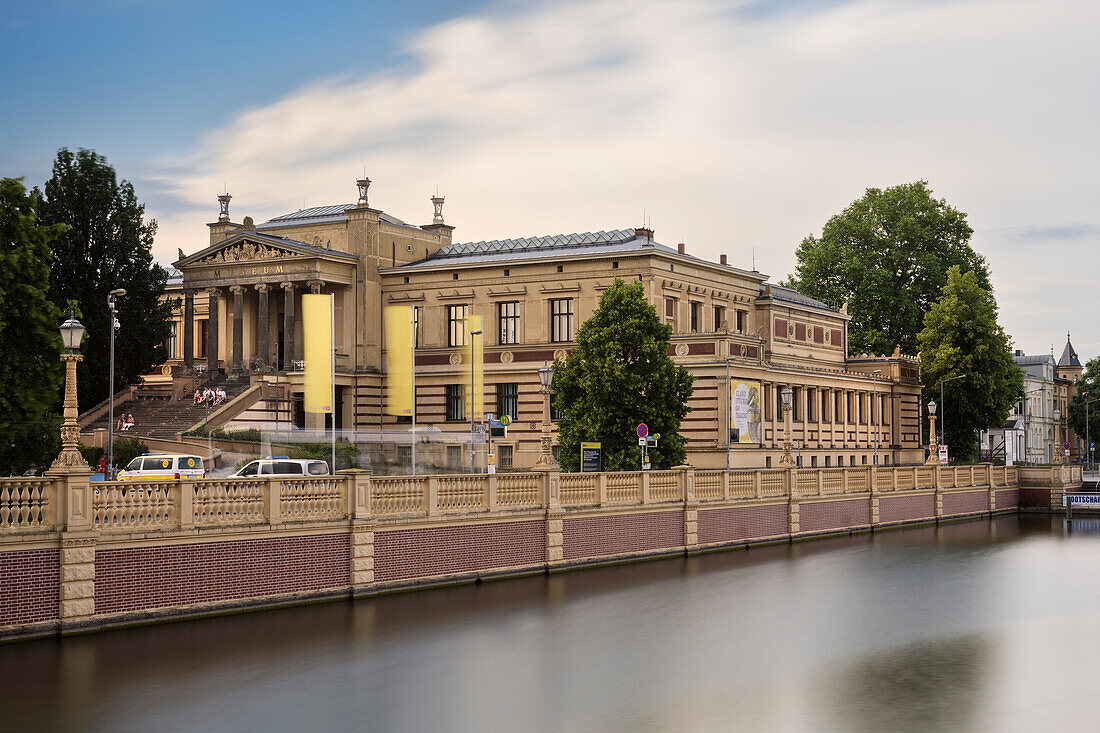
(30, 505)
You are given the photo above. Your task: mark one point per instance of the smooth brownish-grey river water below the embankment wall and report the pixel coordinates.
(970, 627)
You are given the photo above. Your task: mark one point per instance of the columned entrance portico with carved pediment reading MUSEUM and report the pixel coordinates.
(238, 277)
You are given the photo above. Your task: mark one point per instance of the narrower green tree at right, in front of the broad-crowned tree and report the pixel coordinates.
(962, 336)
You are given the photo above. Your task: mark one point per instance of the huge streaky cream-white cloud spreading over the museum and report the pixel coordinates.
(735, 125)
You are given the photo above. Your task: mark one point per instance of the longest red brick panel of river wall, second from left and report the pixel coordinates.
(140, 578)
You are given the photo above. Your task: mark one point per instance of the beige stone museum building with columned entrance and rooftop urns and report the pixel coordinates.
(743, 338)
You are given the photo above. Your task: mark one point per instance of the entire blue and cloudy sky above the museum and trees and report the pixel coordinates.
(736, 127)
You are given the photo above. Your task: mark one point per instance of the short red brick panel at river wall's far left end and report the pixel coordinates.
(30, 587)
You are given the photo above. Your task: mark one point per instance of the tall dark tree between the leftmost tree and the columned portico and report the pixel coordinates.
(108, 246)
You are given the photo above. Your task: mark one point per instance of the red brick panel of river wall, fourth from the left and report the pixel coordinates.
(600, 537)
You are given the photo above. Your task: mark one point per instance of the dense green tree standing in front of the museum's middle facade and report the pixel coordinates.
(620, 376)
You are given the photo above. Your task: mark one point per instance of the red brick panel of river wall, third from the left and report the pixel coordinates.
(427, 552)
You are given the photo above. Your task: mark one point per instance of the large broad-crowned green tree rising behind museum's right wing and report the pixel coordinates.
(887, 257)
